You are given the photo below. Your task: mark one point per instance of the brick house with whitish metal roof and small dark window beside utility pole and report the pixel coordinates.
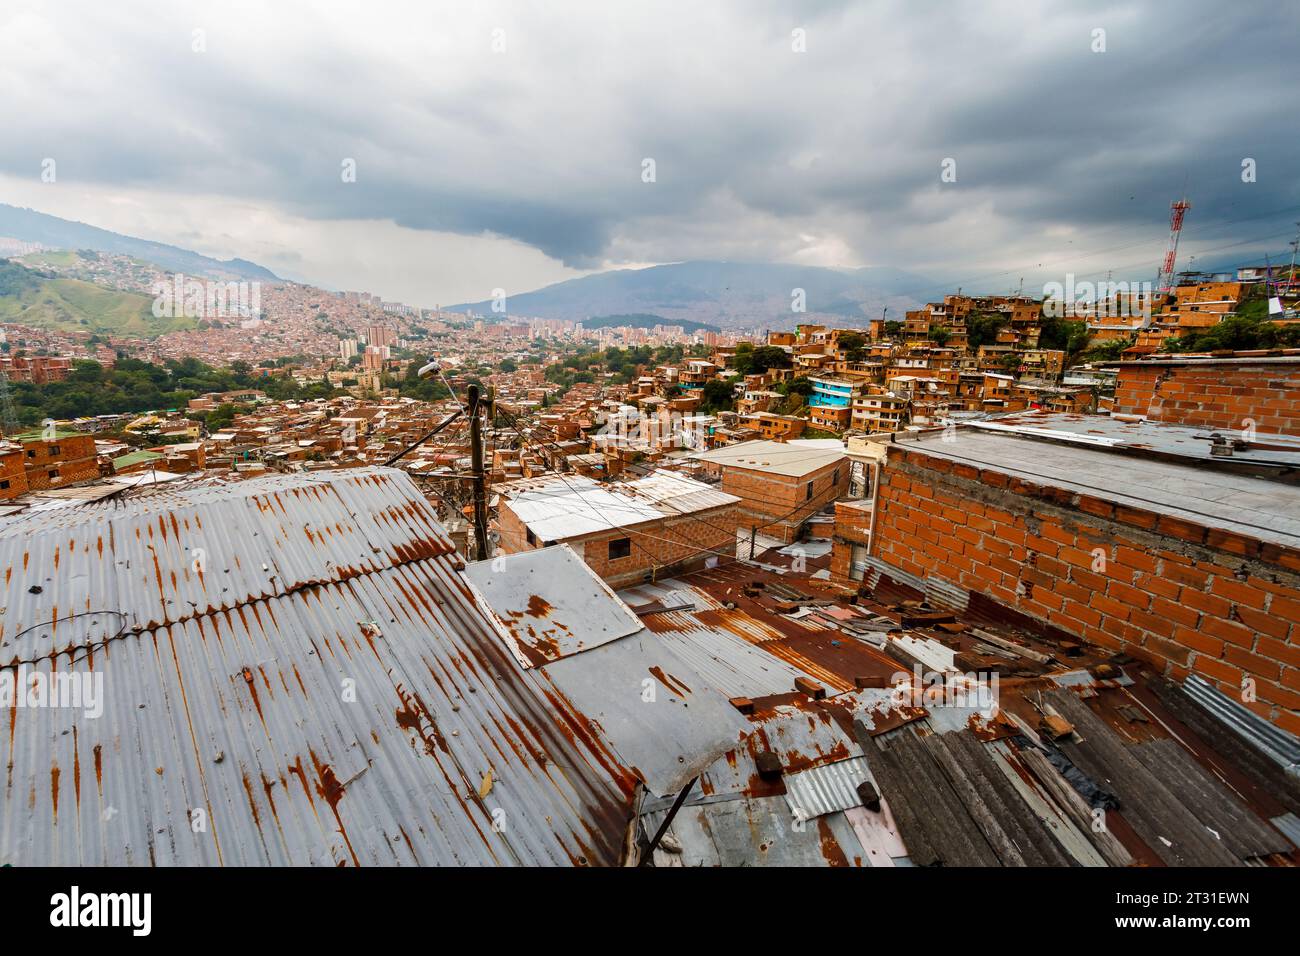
(629, 533)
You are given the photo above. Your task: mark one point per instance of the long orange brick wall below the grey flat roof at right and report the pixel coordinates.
(1177, 595)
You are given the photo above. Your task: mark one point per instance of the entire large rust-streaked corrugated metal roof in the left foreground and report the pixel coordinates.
(323, 691)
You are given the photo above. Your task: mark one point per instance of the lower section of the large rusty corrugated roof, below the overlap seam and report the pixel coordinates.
(348, 725)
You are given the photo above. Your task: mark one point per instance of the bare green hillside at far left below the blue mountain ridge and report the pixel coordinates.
(33, 299)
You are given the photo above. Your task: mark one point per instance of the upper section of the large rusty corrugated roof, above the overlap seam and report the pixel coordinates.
(174, 556)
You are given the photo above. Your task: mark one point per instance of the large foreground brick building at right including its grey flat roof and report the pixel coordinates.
(1130, 537)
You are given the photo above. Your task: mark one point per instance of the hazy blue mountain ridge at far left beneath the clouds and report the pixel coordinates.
(29, 226)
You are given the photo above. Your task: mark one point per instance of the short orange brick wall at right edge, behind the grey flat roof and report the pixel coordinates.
(1215, 395)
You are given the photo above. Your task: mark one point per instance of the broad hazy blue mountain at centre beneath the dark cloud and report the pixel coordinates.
(725, 295)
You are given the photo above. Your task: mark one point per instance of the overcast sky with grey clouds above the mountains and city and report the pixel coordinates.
(504, 145)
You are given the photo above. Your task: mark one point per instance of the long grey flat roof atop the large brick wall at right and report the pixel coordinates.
(1245, 505)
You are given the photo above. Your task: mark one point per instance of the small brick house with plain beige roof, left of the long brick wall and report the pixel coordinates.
(781, 485)
